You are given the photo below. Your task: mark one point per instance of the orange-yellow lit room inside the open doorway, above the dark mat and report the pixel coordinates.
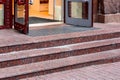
(40, 8)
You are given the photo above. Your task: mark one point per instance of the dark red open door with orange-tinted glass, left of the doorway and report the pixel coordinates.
(21, 22)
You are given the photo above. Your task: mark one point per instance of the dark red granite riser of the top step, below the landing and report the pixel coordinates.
(57, 42)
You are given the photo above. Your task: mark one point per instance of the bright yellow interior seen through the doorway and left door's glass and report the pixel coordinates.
(47, 9)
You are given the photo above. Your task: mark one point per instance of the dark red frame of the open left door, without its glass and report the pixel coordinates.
(23, 28)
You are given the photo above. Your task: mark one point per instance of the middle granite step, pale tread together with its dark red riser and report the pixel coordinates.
(51, 53)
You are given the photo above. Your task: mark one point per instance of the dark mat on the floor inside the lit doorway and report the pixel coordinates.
(34, 20)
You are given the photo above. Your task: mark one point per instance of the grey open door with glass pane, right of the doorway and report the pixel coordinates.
(78, 12)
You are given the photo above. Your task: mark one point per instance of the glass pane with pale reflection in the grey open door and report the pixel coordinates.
(78, 10)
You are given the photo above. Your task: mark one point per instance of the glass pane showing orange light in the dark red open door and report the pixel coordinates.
(20, 13)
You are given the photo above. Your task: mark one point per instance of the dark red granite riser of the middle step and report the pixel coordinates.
(58, 55)
